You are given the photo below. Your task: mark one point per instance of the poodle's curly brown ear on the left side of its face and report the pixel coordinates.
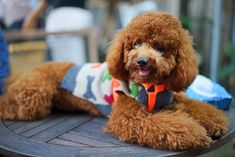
(115, 58)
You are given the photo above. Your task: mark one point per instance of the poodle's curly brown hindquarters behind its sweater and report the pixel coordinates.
(30, 96)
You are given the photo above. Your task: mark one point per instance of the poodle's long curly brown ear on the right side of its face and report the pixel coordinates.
(186, 66)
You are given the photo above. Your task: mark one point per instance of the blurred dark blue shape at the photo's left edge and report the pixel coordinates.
(4, 60)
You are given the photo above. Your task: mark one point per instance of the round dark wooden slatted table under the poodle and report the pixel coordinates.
(67, 134)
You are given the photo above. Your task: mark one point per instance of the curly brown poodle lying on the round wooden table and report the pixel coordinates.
(153, 49)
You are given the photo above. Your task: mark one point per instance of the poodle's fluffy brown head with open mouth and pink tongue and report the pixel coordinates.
(153, 48)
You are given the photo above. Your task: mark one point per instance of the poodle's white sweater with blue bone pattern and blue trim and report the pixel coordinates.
(93, 82)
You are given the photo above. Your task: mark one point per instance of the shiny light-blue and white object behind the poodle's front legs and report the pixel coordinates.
(205, 90)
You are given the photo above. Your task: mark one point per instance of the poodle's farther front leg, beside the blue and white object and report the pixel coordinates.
(212, 119)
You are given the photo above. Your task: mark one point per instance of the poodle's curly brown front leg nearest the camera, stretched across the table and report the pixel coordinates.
(130, 122)
